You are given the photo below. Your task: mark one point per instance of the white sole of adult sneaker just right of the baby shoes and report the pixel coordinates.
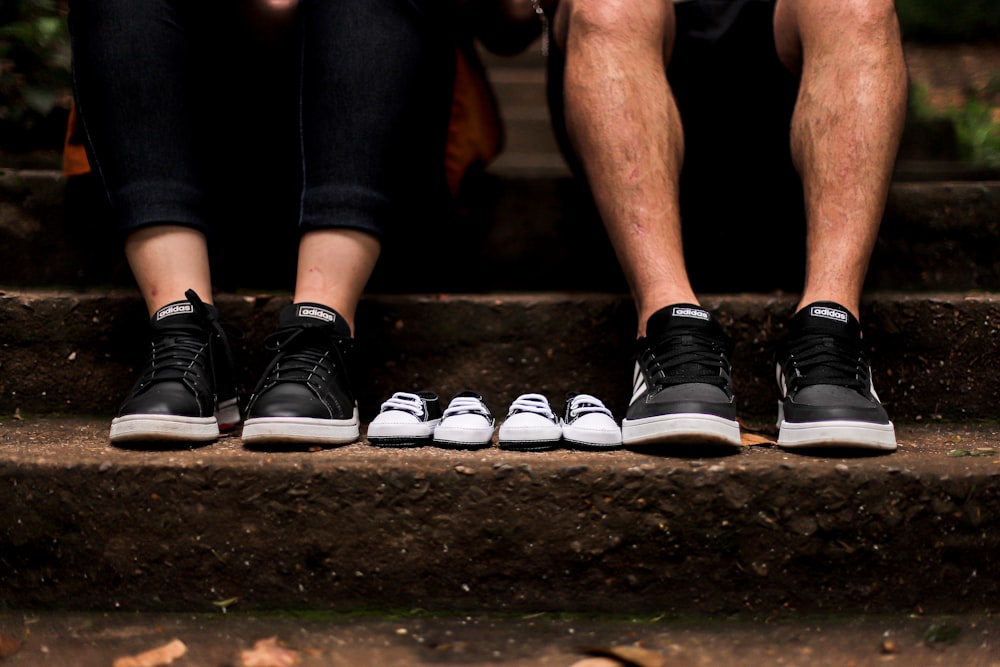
(681, 429)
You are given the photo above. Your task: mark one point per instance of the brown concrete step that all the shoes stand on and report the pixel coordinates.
(84, 525)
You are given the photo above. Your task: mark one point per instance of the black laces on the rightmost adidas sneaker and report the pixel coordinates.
(813, 359)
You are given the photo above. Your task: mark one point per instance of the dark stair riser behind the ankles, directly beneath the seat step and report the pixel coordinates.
(523, 234)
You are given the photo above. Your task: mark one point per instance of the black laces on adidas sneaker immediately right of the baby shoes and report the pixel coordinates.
(687, 358)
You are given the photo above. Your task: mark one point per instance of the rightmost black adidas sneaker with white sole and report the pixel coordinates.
(827, 397)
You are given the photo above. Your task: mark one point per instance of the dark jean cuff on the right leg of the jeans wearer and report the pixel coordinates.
(343, 207)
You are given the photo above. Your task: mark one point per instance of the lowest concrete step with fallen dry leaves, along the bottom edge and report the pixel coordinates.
(415, 637)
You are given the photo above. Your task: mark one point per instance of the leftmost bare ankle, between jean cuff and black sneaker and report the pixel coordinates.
(168, 260)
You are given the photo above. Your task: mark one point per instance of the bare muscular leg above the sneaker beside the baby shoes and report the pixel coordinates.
(624, 124)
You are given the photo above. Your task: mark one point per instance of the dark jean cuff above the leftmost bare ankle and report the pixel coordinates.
(160, 203)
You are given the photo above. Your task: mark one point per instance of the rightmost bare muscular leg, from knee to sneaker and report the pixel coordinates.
(845, 132)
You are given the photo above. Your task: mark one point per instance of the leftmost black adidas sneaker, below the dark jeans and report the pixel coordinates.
(186, 391)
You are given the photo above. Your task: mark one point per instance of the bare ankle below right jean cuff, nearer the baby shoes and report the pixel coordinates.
(334, 266)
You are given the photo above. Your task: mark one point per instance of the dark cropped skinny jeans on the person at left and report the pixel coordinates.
(373, 96)
